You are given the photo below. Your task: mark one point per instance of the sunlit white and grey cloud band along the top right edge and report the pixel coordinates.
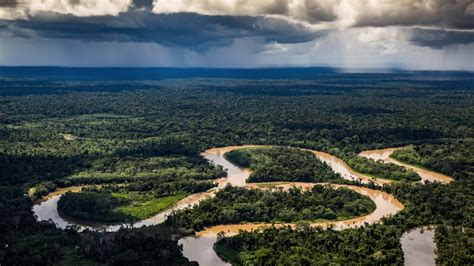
(453, 14)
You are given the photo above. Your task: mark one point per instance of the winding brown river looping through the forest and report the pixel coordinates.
(200, 247)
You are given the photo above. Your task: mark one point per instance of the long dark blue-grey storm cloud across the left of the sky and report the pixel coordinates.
(182, 29)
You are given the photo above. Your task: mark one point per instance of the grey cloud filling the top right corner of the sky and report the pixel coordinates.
(454, 14)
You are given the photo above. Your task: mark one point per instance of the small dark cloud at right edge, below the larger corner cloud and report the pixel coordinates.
(440, 38)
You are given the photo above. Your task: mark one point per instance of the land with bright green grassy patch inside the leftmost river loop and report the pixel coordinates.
(128, 202)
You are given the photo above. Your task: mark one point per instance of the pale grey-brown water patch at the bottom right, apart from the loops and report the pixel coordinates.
(419, 247)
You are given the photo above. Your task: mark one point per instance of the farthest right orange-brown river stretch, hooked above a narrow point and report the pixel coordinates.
(384, 155)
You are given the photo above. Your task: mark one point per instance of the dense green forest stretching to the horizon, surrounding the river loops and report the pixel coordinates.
(148, 134)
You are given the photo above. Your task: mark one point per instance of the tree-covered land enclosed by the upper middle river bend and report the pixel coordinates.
(281, 164)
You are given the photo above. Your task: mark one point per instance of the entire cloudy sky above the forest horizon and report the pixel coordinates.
(405, 34)
